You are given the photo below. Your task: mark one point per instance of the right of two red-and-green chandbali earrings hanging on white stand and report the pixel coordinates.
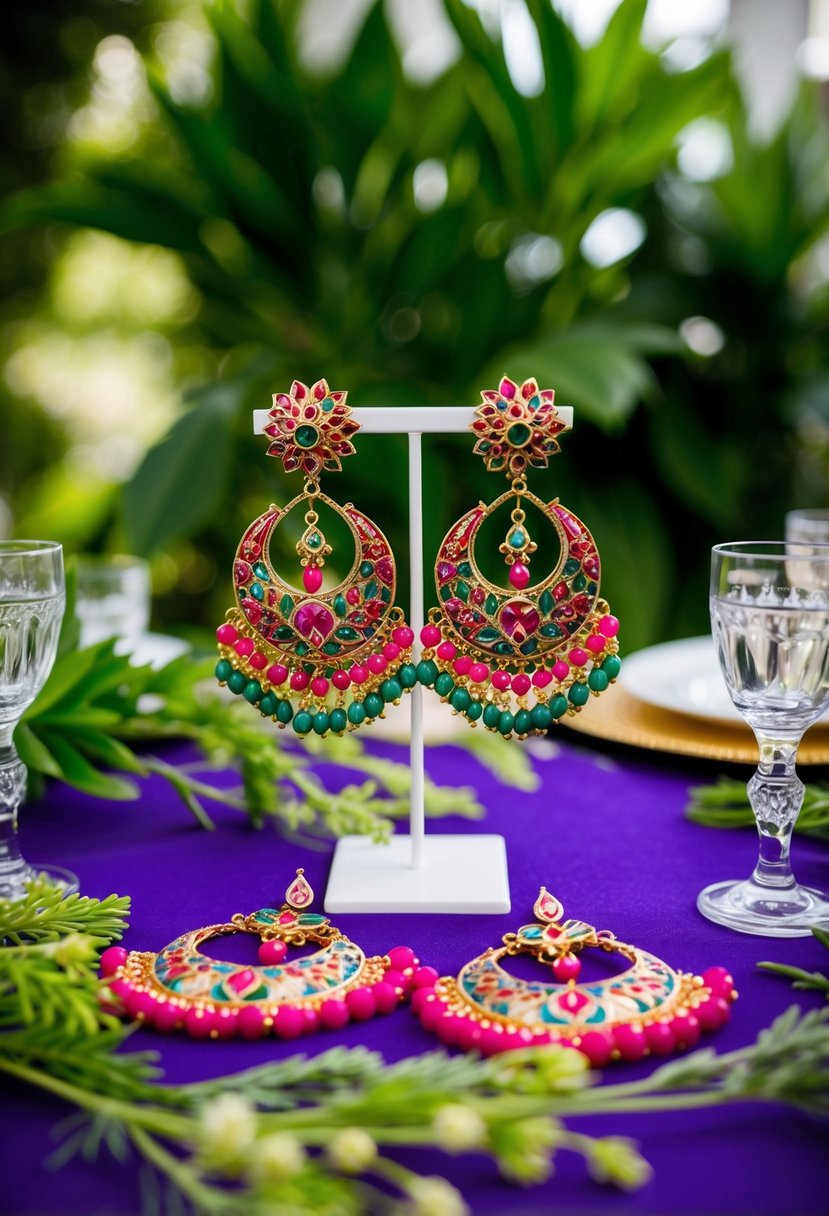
(521, 657)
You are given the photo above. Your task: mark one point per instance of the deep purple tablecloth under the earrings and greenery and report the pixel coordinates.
(607, 837)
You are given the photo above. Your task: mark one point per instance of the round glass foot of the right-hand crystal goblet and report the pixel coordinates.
(766, 911)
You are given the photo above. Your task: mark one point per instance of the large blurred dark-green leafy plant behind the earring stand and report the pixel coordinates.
(291, 199)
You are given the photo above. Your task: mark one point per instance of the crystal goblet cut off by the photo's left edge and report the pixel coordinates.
(32, 603)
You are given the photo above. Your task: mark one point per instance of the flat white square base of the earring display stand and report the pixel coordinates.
(466, 874)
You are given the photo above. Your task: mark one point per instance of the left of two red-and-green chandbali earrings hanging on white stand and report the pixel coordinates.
(328, 661)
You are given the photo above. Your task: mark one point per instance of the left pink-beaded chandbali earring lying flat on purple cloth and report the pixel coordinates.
(182, 988)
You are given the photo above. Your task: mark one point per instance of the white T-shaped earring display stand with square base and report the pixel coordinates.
(415, 872)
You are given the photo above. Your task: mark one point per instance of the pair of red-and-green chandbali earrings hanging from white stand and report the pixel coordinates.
(516, 655)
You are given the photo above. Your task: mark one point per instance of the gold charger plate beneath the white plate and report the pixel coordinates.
(621, 718)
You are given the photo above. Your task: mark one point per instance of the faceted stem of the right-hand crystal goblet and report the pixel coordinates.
(776, 795)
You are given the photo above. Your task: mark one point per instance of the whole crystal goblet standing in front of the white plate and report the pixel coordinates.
(770, 616)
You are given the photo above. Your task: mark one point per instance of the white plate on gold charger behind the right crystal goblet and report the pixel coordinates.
(683, 677)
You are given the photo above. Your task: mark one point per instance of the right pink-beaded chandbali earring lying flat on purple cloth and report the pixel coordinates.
(647, 1010)
